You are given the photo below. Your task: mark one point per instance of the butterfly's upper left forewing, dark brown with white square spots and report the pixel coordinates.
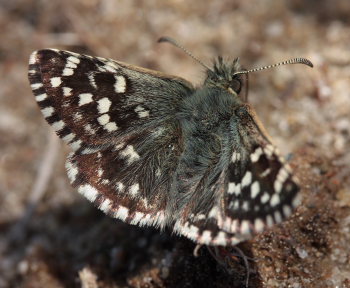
(91, 100)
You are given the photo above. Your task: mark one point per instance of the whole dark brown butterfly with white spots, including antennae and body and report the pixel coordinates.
(150, 149)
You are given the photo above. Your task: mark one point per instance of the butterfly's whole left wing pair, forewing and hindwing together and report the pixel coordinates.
(119, 121)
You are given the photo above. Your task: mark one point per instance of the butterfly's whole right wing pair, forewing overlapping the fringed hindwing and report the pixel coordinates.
(251, 188)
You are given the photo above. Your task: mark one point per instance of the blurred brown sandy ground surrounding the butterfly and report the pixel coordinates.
(51, 237)
